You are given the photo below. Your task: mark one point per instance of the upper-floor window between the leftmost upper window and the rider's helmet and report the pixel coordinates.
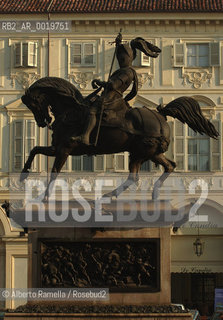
(82, 54)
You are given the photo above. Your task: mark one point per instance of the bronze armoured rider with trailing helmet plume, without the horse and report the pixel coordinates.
(112, 96)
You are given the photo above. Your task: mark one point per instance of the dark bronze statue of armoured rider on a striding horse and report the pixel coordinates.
(143, 132)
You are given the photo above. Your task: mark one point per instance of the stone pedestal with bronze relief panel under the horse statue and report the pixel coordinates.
(134, 263)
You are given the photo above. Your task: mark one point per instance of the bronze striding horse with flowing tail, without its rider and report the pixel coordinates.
(149, 141)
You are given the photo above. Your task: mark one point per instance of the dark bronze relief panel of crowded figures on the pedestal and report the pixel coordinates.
(122, 265)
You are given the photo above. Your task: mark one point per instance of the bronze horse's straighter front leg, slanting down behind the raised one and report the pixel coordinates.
(61, 157)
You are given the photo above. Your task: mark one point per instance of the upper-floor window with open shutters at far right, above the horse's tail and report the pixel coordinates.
(196, 55)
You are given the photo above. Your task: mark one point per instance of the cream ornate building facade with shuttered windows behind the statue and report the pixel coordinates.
(191, 64)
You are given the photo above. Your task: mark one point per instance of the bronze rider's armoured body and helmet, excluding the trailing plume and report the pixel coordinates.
(114, 88)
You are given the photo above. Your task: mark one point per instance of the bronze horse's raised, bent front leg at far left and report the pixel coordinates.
(47, 151)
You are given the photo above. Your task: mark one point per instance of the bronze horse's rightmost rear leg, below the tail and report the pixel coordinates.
(169, 167)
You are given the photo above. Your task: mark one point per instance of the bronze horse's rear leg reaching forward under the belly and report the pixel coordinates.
(134, 167)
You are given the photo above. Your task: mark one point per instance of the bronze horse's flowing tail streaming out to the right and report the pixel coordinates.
(187, 110)
